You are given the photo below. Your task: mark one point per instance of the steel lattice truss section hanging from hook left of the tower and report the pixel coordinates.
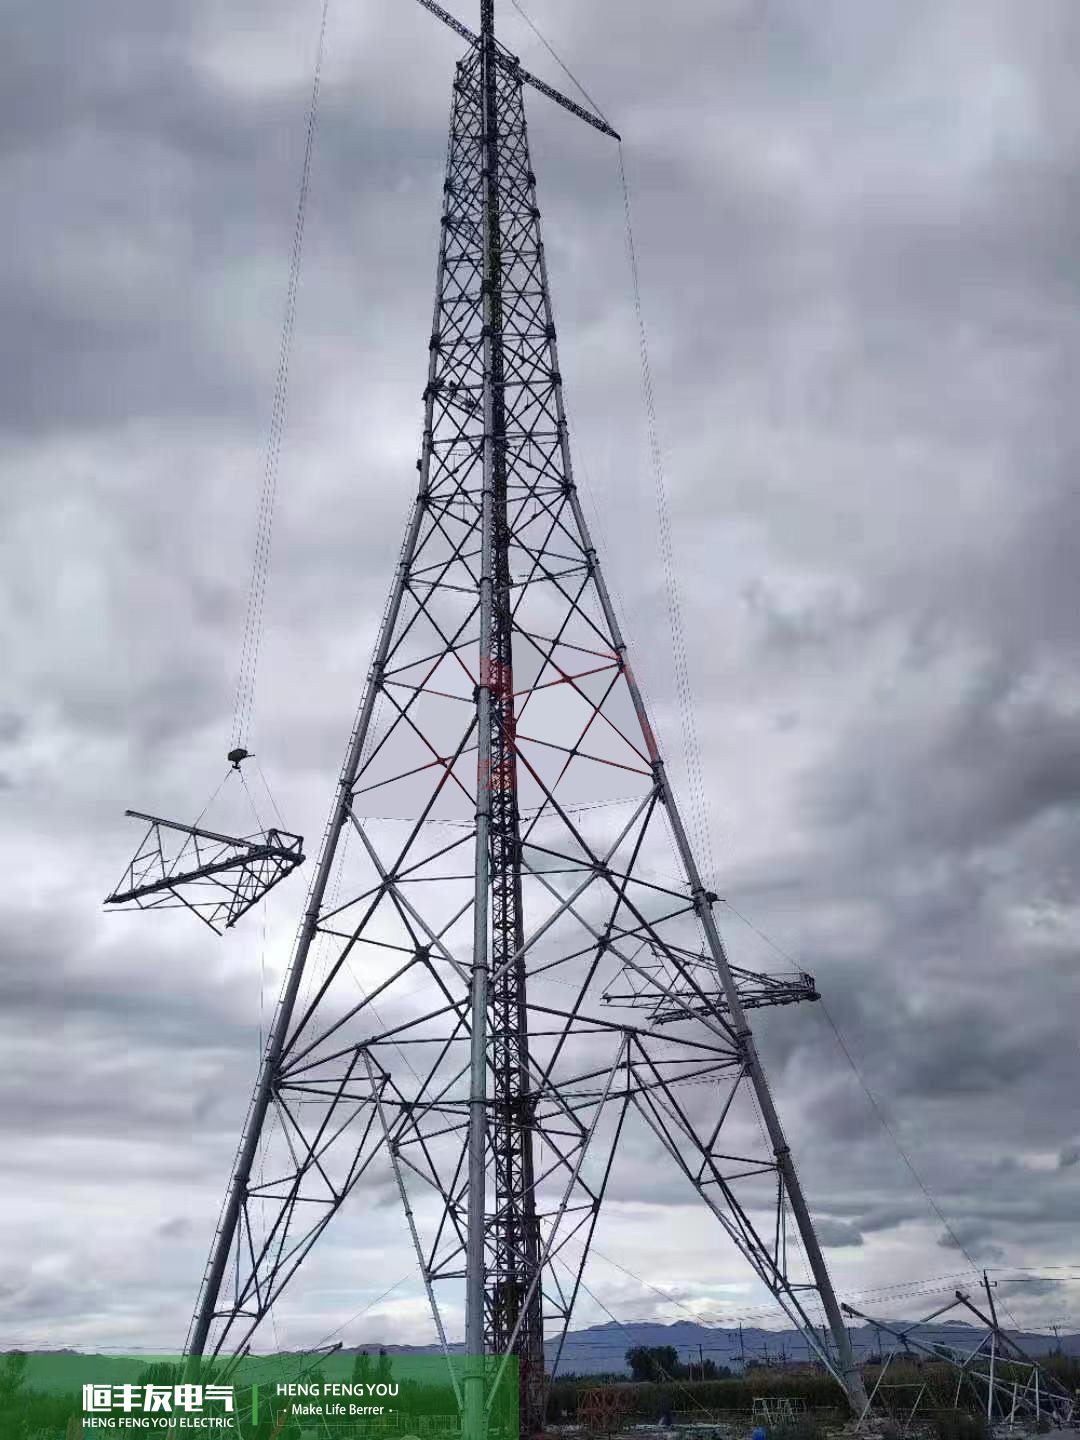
(218, 878)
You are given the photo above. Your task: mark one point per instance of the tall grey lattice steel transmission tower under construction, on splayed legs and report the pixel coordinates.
(498, 974)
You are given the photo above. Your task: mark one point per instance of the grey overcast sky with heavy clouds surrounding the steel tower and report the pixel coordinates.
(858, 227)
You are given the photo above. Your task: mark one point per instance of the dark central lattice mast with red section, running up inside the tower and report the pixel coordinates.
(505, 1246)
